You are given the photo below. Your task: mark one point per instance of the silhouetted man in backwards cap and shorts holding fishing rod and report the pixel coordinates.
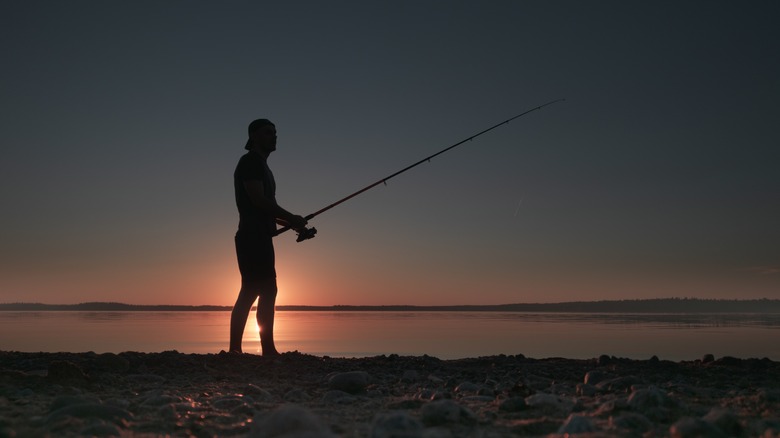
(258, 215)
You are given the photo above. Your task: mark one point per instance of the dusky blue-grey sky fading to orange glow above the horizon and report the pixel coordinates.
(121, 124)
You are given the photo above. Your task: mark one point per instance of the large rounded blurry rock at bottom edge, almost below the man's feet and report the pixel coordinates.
(289, 421)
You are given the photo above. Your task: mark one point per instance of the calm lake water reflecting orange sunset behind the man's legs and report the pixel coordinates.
(446, 335)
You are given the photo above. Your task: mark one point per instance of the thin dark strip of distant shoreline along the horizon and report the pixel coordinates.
(661, 305)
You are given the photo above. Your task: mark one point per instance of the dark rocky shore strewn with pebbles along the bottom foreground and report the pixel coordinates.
(296, 395)
